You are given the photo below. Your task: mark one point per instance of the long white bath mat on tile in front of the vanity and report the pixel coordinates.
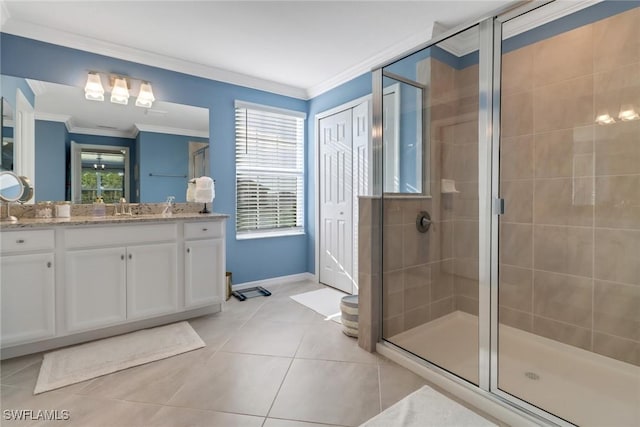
(82, 362)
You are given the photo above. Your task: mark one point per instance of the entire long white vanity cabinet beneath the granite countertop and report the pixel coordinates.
(68, 282)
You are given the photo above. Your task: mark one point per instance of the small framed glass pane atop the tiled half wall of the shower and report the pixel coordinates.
(404, 144)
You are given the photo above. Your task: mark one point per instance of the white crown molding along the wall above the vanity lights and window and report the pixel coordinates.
(75, 41)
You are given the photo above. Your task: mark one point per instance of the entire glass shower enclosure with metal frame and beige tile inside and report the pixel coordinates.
(519, 136)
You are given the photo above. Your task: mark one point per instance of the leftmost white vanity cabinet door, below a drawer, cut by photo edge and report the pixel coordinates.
(27, 298)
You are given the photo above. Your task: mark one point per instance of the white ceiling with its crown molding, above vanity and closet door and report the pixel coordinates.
(296, 48)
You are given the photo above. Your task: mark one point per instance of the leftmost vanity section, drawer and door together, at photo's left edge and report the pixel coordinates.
(27, 280)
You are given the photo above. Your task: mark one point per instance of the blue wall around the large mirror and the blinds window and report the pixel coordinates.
(248, 259)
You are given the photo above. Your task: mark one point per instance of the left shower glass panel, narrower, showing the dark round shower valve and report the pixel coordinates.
(430, 280)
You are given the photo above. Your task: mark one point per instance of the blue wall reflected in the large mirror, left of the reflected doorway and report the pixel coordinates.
(51, 160)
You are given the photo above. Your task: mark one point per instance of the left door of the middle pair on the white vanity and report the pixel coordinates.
(95, 288)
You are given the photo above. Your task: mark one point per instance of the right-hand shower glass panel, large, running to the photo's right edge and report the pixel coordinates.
(569, 245)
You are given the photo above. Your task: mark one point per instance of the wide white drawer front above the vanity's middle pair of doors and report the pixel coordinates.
(121, 235)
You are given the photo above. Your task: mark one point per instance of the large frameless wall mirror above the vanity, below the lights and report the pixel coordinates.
(158, 141)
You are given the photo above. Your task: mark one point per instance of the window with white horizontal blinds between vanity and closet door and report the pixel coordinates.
(269, 171)
